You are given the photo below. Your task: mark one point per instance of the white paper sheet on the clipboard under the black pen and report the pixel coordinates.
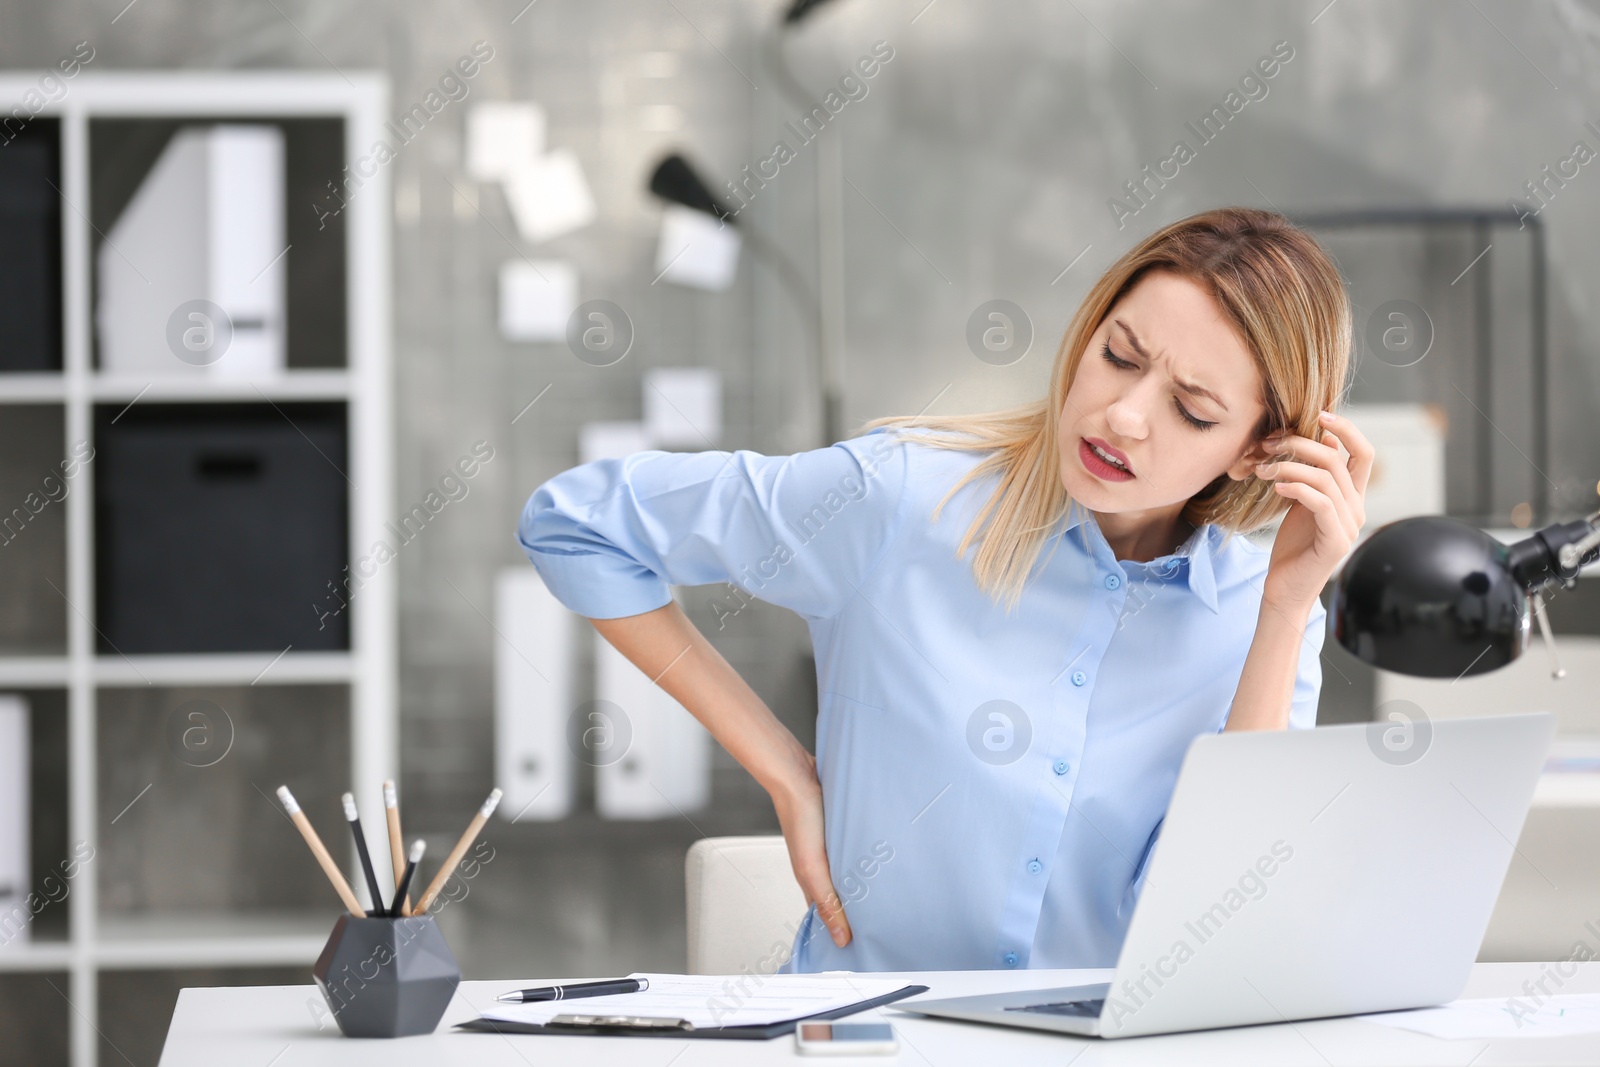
(714, 1001)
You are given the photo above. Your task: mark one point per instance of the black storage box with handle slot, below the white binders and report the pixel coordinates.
(222, 529)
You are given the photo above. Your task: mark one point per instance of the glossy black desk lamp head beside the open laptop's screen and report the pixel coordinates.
(1439, 599)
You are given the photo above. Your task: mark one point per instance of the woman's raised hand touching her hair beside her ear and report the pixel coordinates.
(1329, 489)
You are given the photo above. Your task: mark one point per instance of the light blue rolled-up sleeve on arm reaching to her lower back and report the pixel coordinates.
(801, 532)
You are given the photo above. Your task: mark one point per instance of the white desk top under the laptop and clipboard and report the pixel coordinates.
(278, 1025)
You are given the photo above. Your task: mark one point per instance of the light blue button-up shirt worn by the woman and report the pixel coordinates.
(993, 783)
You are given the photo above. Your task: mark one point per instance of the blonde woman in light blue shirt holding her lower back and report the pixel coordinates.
(1007, 692)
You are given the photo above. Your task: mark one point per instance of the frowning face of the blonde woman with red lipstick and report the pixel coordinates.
(1178, 406)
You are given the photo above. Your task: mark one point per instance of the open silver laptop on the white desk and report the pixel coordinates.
(1308, 874)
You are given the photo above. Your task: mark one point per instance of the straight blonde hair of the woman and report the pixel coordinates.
(1276, 287)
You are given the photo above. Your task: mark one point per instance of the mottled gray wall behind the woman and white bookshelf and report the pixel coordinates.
(980, 166)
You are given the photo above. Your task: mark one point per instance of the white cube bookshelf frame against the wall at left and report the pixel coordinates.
(98, 943)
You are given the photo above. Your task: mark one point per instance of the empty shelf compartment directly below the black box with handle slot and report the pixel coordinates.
(186, 813)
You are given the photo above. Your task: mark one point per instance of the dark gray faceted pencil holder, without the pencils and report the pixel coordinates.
(386, 977)
